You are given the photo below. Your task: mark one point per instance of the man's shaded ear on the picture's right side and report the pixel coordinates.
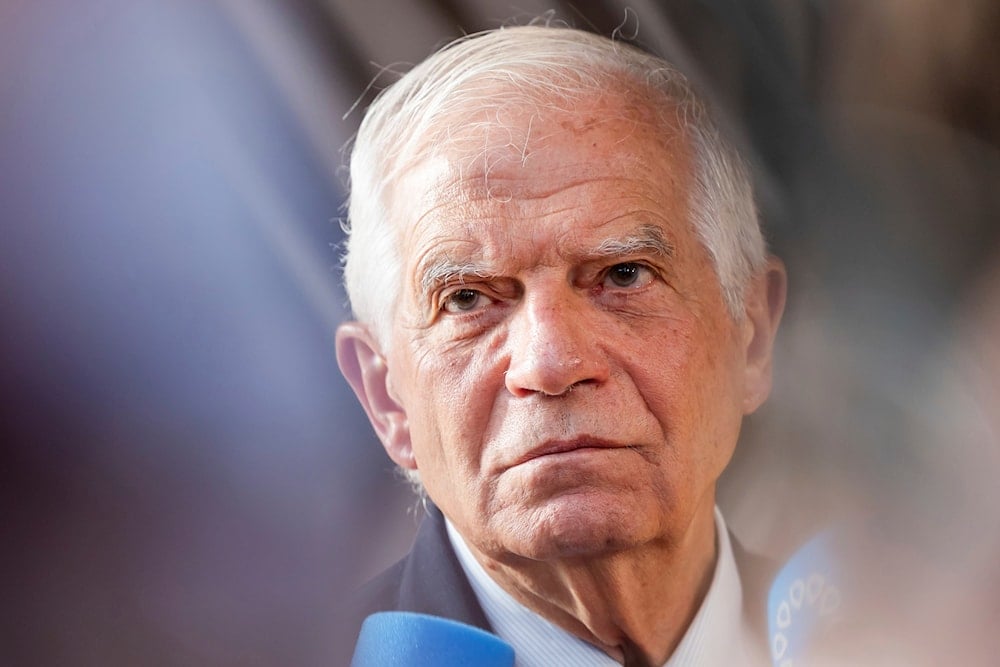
(765, 302)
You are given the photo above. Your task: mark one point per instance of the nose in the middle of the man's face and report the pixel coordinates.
(554, 346)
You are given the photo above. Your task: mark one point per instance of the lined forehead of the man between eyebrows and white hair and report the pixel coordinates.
(602, 167)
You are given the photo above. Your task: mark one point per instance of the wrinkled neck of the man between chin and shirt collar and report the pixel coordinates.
(635, 604)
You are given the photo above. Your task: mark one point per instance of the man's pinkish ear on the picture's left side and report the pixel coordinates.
(362, 363)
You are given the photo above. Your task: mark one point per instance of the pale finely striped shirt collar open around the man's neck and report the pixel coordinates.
(718, 635)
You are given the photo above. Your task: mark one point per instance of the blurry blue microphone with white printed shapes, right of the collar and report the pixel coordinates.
(804, 600)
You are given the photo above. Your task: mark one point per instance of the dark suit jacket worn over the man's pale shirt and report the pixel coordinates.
(430, 580)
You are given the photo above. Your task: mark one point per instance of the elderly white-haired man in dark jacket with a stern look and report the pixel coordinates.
(564, 310)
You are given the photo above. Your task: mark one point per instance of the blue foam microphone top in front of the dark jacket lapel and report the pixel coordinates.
(407, 639)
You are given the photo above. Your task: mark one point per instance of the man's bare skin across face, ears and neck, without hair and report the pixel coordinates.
(563, 370)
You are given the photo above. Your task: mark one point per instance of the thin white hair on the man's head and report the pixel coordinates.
(469, 83)
